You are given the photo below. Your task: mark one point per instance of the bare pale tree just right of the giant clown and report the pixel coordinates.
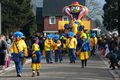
(95, 12)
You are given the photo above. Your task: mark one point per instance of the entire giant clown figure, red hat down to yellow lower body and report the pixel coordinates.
(75, 12)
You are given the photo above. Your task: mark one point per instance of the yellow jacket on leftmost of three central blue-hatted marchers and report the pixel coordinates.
(48, 44)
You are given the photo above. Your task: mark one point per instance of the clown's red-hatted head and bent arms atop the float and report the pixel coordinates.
(75, 11)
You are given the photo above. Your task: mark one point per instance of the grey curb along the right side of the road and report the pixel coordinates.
(114, 73)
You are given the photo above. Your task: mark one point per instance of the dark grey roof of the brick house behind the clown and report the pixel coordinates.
(54, 7)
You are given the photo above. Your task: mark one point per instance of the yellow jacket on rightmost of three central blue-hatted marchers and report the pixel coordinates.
(71, 43)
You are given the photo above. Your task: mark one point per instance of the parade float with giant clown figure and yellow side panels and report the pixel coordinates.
(75, 12)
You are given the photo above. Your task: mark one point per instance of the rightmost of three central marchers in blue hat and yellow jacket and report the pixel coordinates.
(71, 43)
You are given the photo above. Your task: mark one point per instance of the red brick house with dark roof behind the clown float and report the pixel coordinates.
(52, 13)
